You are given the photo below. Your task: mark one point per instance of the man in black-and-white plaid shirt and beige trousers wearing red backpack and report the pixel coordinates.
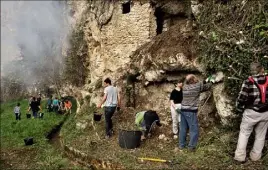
(252, 97)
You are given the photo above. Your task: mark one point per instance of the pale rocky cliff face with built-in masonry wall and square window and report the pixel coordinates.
(144, 47)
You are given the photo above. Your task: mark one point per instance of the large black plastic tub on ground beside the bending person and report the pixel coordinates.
(129, 139)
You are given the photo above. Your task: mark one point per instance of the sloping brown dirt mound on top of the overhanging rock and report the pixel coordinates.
(179, 39)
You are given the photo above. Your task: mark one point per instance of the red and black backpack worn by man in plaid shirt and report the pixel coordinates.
(263, 106)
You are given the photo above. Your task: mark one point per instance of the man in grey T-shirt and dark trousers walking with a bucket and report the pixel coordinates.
(111, 100)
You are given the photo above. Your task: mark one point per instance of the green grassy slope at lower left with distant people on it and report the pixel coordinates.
(15, 155)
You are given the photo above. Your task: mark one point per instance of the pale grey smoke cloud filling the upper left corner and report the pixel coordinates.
(34, 35)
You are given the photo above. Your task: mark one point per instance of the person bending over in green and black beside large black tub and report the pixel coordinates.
(144, 121)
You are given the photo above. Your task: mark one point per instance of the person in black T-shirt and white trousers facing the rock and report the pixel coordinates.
(175, 106)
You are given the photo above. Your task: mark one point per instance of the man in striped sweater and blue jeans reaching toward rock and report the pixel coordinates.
(189, 109)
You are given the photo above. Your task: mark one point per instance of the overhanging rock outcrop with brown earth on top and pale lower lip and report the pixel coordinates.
(167, 54)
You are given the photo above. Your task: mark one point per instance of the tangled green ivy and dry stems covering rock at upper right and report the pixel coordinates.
(231, 36)
